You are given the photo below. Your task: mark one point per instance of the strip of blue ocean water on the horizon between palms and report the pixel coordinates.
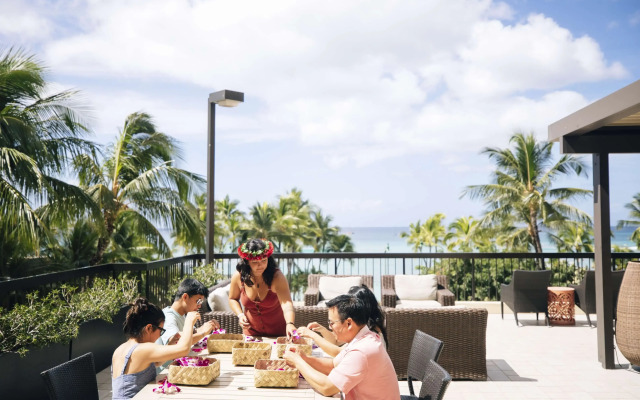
(388, 240)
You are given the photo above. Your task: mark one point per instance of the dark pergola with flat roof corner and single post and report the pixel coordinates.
(608, 126)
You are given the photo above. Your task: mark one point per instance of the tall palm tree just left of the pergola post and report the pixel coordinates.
(522, 188)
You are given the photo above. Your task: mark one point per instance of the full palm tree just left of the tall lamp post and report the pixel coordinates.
(138, 187)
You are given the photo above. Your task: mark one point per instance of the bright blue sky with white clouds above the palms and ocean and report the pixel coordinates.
(376, 110)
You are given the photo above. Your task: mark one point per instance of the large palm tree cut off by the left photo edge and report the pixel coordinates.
(39, 134)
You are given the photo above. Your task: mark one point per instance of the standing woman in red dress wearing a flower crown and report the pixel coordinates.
(263, 291)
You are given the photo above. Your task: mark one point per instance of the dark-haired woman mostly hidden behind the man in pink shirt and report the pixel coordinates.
(326, 340)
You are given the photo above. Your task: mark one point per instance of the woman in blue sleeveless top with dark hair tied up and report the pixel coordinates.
(133, 364)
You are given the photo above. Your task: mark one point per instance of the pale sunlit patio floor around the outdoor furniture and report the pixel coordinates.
(532, 361)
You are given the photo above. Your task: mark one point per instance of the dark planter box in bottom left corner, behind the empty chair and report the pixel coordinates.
(22, 374)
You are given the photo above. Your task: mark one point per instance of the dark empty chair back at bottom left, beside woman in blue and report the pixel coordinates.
(75, 379)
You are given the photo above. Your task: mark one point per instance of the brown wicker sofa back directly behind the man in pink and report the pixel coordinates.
(463, 332)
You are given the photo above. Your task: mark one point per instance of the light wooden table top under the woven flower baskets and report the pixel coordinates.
(234, 382)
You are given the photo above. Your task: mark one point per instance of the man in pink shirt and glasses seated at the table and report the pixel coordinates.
(362, 370)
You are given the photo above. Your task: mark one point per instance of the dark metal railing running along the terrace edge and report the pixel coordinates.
(472, 276)
